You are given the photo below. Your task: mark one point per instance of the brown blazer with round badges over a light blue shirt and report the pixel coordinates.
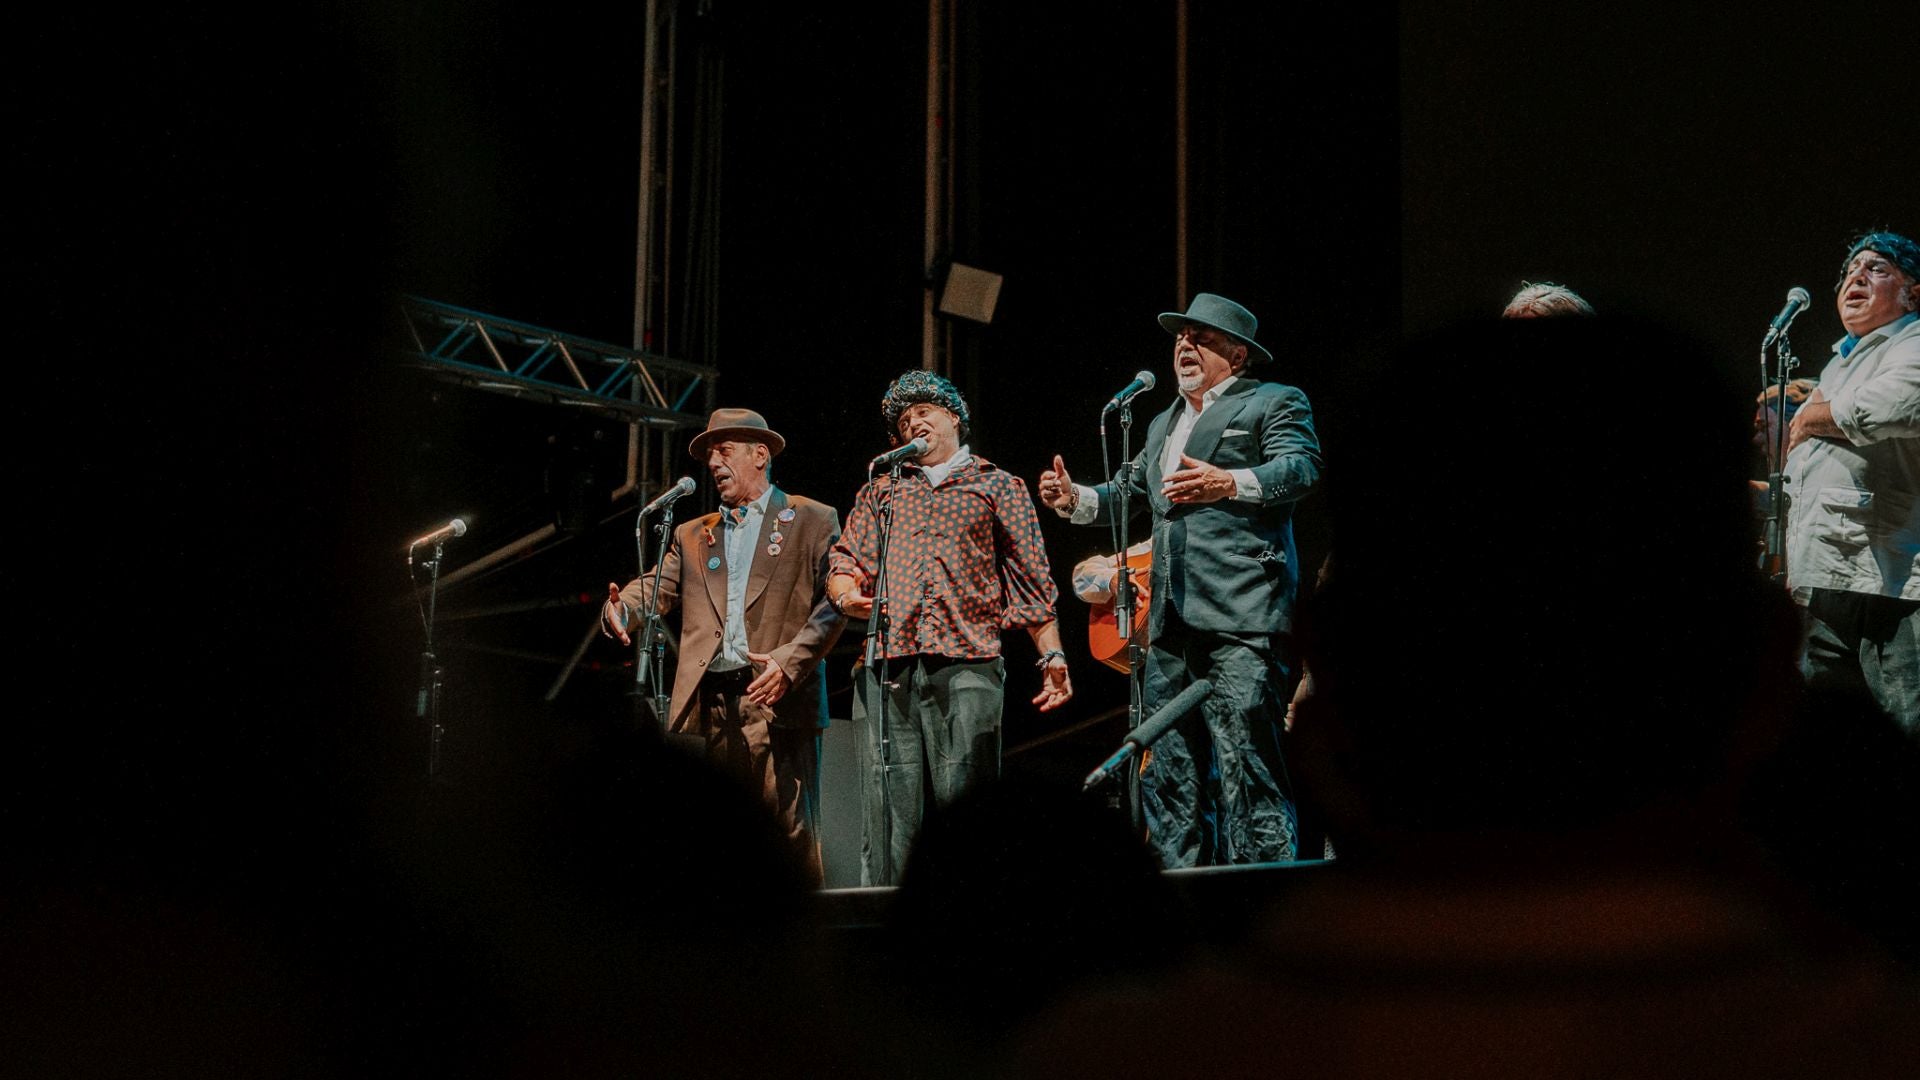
(788, 612)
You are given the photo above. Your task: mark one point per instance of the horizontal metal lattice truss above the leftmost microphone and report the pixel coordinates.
(564, 370)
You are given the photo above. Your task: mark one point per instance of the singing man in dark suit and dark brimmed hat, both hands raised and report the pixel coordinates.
(1222, 472)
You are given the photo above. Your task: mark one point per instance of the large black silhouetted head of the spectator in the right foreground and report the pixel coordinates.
(1558, 618)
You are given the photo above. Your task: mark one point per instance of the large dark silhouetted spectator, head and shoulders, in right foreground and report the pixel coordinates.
(1550, 677)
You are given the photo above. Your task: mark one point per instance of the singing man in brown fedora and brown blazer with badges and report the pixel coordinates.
(756, 624)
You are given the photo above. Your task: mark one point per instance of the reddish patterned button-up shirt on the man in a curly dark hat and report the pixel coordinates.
(965, 560)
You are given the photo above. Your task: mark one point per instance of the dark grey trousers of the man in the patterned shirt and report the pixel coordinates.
(942, 735)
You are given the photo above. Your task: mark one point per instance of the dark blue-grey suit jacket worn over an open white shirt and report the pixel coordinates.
(1230, 566)
